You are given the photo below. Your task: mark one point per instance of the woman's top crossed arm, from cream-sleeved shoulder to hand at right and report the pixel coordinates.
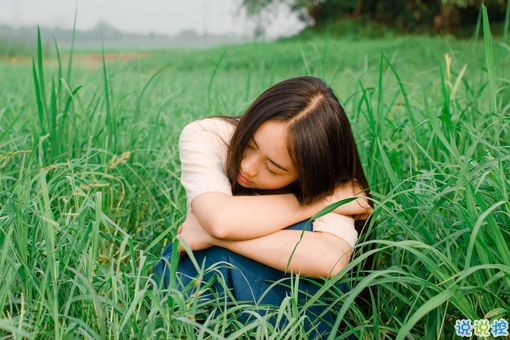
(202, 147)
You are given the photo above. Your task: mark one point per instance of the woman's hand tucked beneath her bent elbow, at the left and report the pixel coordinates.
(193, 234)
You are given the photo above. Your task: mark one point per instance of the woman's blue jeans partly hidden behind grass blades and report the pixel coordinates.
(249, 281)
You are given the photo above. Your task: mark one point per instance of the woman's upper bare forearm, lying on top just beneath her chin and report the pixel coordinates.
(248, 217)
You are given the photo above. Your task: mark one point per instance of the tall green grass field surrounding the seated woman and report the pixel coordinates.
(90, 191)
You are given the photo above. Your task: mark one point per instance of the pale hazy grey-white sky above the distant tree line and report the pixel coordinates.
(142, 16)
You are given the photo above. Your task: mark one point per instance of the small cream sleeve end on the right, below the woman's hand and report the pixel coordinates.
(338, 225)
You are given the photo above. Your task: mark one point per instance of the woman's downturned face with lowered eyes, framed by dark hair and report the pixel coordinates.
(266, 163)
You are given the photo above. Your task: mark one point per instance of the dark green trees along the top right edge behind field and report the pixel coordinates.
(408, 15)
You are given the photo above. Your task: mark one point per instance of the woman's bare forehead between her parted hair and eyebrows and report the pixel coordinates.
(271, 139)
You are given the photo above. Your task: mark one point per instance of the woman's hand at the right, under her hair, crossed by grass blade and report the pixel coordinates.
(359, 209)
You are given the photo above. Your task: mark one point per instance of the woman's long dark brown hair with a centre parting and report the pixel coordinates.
(320, 140)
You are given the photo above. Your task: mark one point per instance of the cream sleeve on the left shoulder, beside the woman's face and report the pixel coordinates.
(202, 151)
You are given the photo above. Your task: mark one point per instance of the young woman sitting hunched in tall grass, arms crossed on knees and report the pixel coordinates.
(248, 178)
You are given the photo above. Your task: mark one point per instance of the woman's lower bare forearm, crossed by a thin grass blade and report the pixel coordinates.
(317, 254)
